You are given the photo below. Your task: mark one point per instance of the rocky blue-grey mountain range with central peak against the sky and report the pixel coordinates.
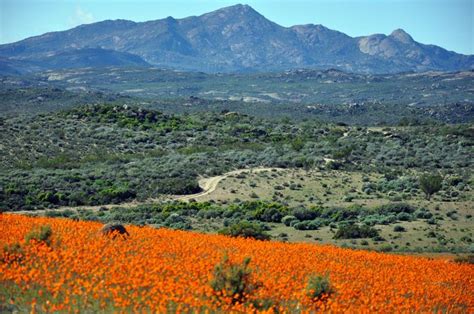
(231, 39)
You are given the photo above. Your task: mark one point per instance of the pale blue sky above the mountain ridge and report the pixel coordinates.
(446, 23)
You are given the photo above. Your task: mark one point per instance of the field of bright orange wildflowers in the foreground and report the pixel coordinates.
(162, 270)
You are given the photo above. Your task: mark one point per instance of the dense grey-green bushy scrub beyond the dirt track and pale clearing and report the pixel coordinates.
(109, 154)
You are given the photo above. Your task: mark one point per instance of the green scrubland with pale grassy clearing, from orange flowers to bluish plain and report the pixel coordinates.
(329, 176)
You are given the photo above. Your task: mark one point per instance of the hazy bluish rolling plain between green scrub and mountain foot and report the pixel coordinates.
(328, 95)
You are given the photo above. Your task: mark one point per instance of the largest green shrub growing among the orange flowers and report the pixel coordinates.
(232, 280)
